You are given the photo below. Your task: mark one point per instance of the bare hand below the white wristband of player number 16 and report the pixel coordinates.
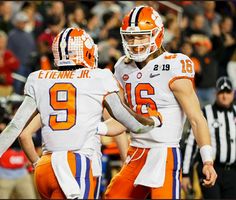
(210, 173)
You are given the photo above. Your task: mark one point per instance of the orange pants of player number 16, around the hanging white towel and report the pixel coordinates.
(122, 185)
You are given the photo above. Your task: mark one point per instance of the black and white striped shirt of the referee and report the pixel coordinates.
(222, 126)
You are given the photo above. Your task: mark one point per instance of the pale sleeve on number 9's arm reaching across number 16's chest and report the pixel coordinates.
(123, 115)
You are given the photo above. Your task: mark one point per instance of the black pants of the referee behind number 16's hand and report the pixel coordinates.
(225, 186)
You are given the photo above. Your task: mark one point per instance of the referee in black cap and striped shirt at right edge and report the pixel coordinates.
(221, 118)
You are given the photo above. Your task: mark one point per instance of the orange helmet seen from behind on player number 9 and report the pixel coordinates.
(73, 46)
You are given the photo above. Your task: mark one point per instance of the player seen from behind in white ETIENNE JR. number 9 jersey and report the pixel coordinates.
(70, 101)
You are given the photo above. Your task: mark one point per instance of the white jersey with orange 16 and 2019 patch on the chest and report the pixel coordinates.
(149, 86)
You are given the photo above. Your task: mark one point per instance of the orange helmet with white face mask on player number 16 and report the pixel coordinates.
(142, 20)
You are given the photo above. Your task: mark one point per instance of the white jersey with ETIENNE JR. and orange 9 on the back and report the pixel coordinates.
(71, 105)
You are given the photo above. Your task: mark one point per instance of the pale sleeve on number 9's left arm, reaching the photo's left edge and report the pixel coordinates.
(15, 127)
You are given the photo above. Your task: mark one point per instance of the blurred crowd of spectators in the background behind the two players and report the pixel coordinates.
(203, 30)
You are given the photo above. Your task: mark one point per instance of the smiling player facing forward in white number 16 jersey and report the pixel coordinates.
(151, 76)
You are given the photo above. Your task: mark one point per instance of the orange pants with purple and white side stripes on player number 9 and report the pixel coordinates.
(47, 184)
